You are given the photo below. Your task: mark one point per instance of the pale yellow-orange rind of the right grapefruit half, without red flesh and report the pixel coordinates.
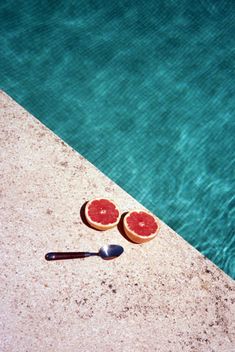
(132, 235)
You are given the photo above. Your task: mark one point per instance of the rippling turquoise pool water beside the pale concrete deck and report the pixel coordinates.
(145, 91)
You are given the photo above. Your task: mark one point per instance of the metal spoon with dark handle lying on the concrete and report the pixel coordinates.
(107, 252)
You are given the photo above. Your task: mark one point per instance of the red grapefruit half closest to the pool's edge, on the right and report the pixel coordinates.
(140, 226)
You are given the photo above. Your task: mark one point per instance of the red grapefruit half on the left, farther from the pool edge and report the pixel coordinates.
(102, 213)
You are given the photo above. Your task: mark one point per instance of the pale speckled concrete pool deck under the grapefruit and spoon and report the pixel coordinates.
(160, 296)
